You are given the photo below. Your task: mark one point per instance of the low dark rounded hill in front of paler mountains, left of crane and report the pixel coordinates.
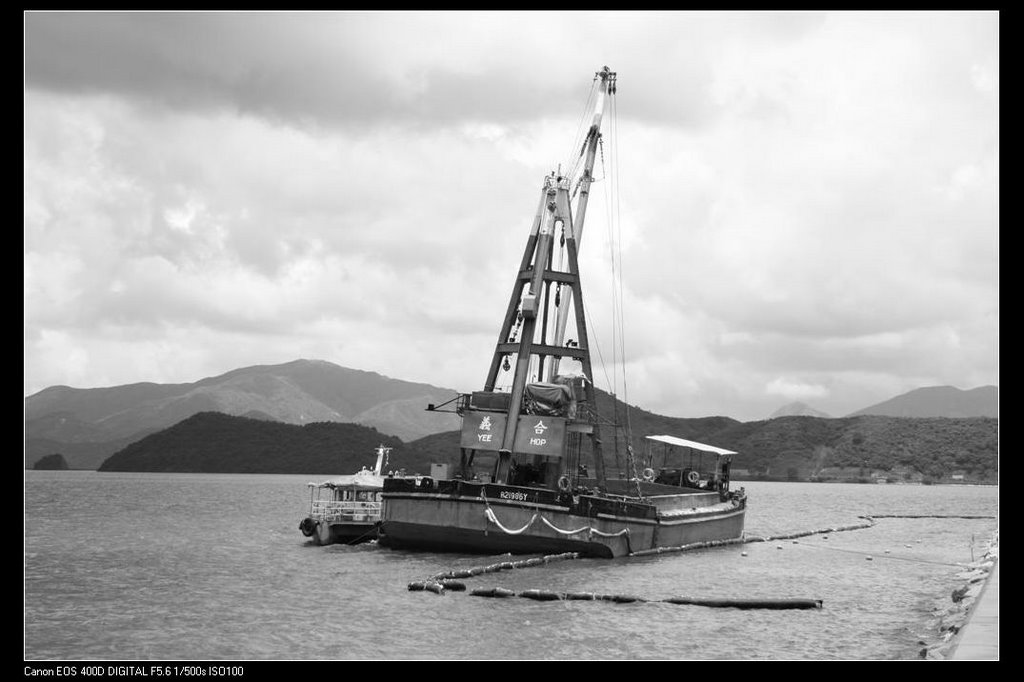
(215, 443)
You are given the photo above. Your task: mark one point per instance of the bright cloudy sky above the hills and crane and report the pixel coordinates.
(802, 206)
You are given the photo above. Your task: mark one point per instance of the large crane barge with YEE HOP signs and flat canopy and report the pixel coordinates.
(538, 435)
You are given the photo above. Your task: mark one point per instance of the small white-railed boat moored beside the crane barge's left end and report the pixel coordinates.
(347, 510)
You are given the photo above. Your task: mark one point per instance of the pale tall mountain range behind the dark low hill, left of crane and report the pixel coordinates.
(89, 425)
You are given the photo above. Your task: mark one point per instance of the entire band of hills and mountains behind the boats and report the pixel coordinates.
(149, 428)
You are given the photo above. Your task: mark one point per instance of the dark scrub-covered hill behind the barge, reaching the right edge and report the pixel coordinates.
(854, 449)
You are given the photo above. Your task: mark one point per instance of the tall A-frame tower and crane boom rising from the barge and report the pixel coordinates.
(532, 299)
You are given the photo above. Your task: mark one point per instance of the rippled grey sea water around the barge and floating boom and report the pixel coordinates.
(214, 568)
